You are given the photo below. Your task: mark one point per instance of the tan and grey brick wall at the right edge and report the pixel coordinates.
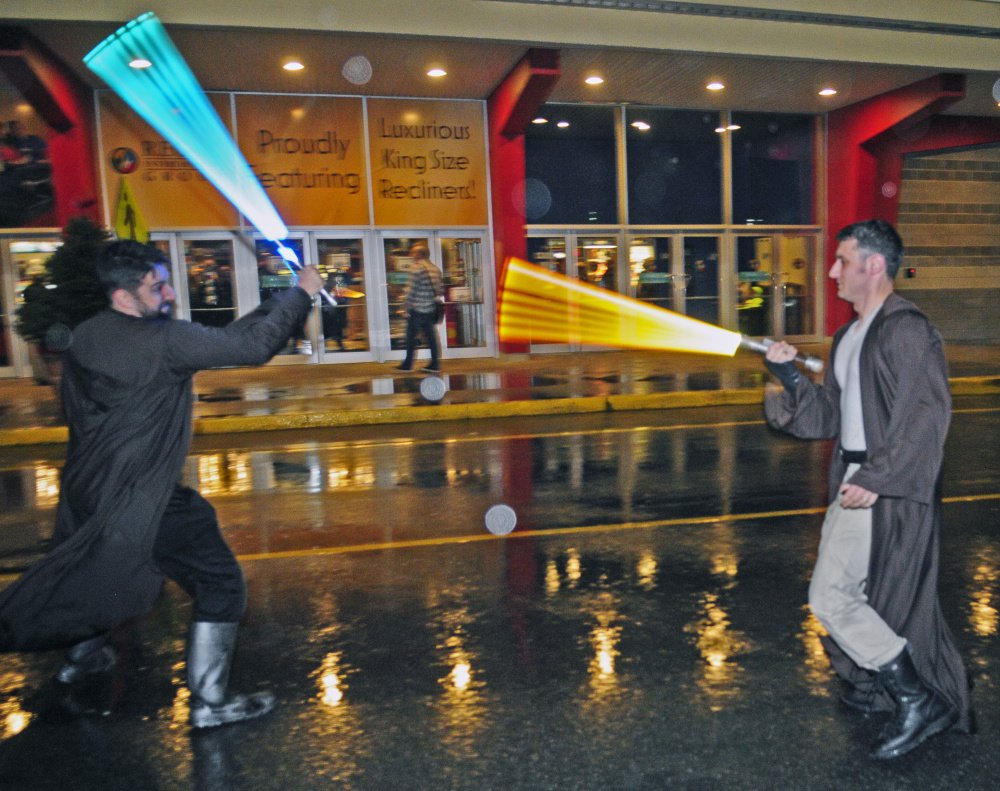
(949, 218)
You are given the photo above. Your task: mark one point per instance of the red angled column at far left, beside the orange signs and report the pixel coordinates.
(64, 103)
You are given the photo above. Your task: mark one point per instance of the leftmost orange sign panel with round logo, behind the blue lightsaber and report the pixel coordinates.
(172, 193)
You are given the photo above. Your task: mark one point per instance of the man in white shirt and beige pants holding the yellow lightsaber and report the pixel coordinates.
(885, 397)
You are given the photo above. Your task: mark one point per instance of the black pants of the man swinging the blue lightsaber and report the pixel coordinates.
(191, 551)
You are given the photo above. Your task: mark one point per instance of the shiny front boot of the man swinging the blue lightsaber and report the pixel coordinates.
(210, 655)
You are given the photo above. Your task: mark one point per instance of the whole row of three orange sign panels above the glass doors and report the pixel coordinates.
(427, 162)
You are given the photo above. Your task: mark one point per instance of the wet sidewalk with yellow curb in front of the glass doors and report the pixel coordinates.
(286, 395)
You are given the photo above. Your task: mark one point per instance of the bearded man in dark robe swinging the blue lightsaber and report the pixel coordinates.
(123, 520)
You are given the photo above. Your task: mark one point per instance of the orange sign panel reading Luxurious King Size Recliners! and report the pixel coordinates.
(428, 162)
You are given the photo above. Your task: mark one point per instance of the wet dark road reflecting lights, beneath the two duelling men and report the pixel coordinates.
(643, 627)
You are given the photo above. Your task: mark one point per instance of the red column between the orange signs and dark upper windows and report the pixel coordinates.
(510, 109)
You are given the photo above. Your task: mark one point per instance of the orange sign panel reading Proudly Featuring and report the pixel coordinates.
(308, 153)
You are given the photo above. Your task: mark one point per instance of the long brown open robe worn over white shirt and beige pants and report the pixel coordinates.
(906, 412)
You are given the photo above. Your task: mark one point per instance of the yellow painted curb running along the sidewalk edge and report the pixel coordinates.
(241, 424)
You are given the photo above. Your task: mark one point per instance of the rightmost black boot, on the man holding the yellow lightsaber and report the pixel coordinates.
(920, 711)
